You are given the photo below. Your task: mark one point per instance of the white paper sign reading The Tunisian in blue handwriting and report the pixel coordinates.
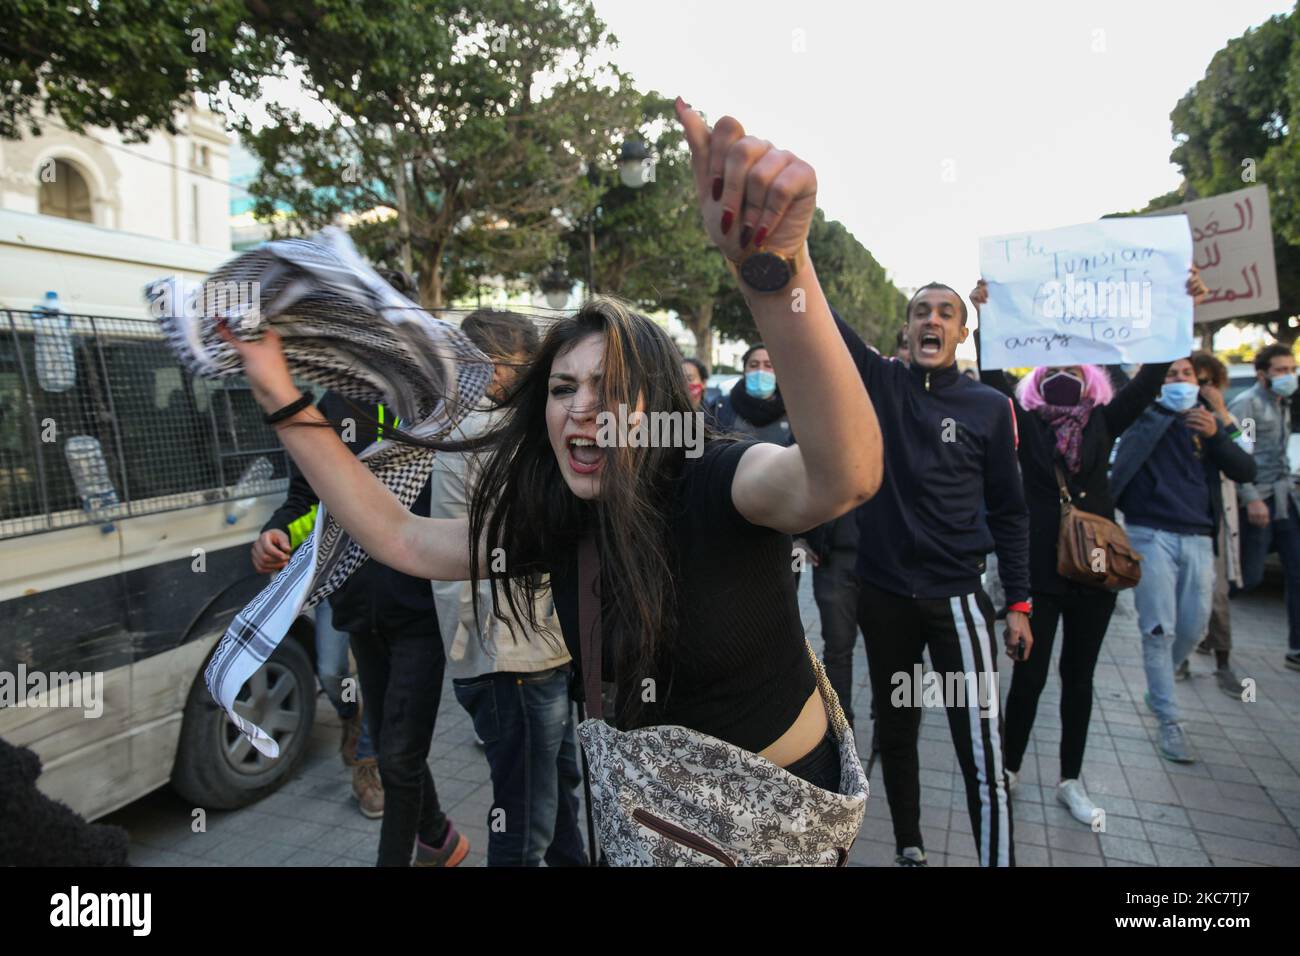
(1100, 293)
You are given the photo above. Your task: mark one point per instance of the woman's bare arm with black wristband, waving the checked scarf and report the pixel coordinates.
(431, 548)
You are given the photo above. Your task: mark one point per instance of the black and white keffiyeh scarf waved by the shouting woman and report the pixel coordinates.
(349, 331)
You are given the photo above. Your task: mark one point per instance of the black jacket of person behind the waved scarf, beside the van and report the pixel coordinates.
(375, 595)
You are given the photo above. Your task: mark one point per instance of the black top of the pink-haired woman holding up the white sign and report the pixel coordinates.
(1091, 487)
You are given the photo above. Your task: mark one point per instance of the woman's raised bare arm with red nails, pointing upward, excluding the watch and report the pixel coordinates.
(757, 198)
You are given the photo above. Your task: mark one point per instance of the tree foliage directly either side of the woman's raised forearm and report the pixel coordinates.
(855, 283)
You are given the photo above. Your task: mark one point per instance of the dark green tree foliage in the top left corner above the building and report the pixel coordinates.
(127, 66)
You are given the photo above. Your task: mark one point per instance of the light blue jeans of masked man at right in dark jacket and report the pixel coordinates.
(1173, 603)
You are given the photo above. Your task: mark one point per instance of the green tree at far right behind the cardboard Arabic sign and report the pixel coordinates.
(1238, 123)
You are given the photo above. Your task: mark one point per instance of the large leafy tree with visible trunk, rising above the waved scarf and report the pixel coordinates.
(457, 132)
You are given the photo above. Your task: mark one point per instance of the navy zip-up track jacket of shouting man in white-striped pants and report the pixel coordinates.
(952, 486)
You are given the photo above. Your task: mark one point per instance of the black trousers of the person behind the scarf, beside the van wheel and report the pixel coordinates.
(401, 665)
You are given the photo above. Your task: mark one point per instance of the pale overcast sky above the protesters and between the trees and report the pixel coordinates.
(930, 123)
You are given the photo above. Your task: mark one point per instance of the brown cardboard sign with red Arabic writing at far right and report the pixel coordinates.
(1233, 248)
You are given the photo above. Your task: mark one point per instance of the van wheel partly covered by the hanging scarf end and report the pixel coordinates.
(216, 767)
